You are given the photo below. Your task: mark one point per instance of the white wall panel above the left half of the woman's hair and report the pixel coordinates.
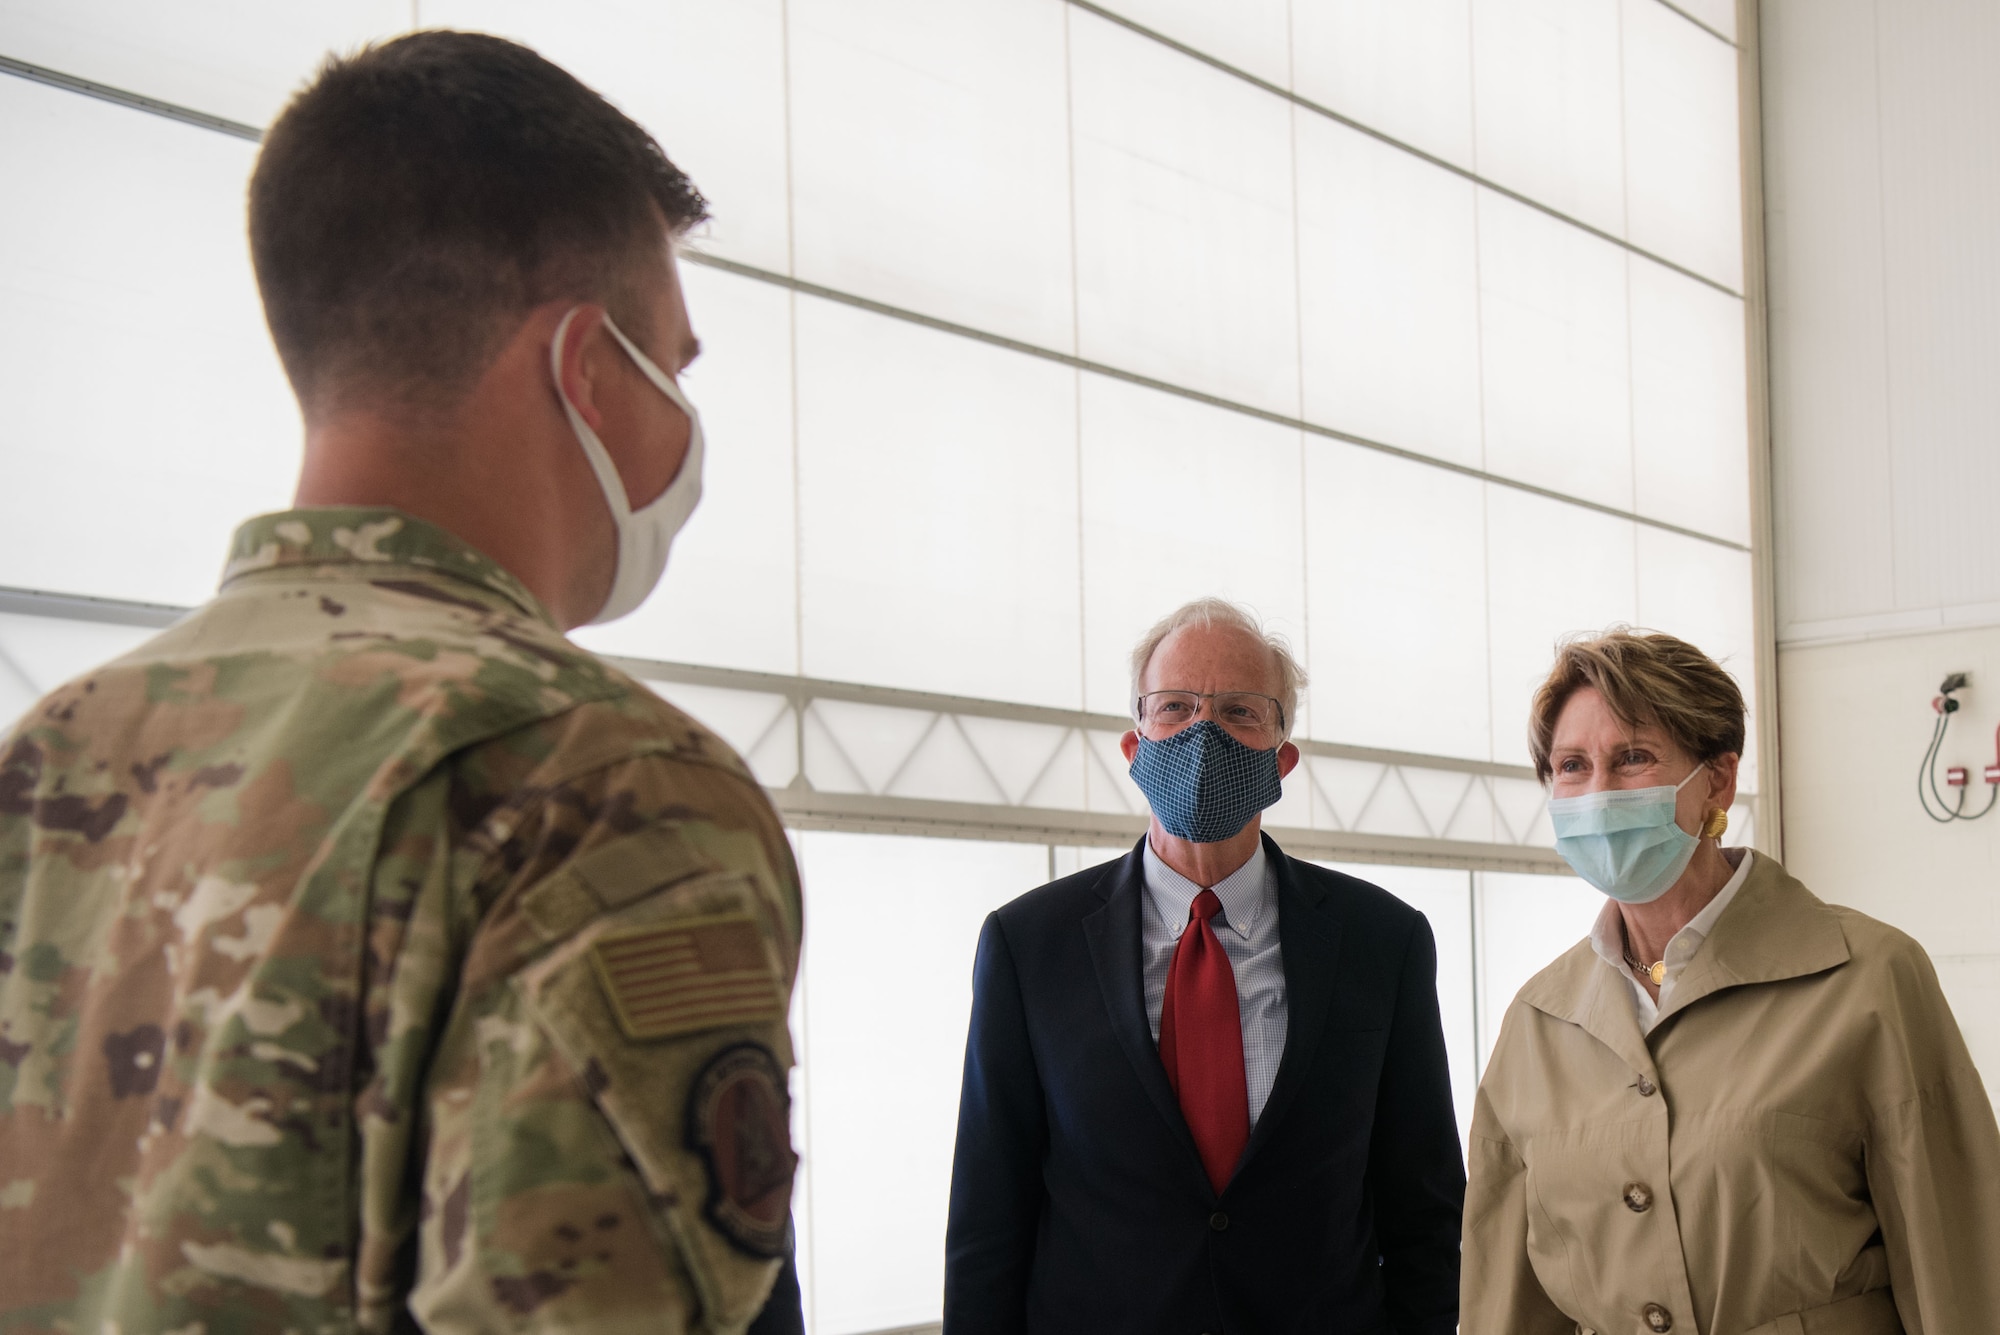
(1553, 571)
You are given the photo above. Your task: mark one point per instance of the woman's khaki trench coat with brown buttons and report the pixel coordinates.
(1799, 1148)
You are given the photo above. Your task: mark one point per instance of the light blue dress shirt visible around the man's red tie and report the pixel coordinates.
(1249, 932)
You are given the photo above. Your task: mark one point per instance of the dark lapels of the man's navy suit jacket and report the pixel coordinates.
(1309, 938)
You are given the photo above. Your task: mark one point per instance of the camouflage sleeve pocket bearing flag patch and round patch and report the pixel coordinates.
(673, 1008)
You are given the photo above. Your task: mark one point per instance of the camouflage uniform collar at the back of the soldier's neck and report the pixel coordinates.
(373, 537)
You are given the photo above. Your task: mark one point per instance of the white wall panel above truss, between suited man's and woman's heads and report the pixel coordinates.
(1397, 599)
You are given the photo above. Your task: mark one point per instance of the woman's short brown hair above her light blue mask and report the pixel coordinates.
(1647, 678)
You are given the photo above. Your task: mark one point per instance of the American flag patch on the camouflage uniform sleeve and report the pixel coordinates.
(689, 974)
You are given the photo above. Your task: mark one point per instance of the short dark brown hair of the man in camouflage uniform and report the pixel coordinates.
(423, 195)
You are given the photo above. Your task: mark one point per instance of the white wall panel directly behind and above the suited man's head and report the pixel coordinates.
(1181, 501)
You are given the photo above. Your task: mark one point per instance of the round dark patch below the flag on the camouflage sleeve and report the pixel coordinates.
(739, 1120)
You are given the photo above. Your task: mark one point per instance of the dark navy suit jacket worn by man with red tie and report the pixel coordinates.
(1079, 1202)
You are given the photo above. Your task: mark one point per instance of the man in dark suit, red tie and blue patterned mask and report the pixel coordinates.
(1205, 1084)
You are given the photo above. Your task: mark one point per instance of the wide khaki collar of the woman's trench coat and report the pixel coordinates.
(1775, 930)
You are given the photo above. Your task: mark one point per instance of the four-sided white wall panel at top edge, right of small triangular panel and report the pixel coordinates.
(1399, 67)
